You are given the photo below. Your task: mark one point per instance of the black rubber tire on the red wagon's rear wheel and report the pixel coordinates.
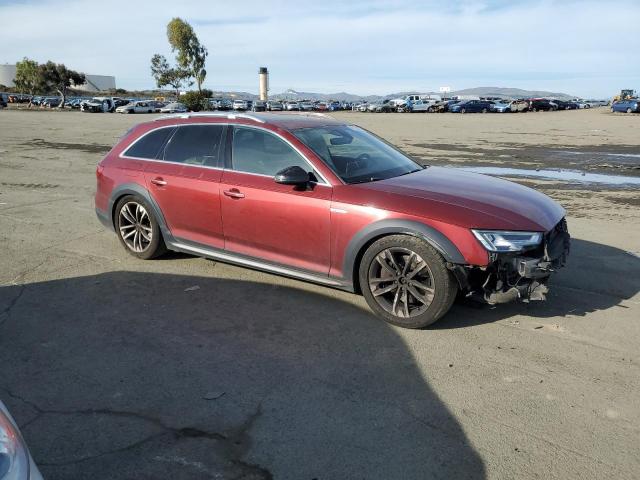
(152, 249)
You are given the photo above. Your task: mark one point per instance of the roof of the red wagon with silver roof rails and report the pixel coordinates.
(286, 121)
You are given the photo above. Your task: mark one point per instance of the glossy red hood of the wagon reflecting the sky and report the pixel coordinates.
(467, 199)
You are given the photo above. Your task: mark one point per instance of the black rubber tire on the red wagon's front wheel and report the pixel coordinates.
(444, 285)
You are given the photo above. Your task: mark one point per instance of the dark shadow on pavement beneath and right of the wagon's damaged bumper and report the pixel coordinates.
(597, 277)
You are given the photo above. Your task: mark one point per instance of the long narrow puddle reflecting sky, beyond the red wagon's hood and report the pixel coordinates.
(571, 176)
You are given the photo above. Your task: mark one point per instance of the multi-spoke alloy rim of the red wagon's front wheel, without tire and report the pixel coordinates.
(401, 282)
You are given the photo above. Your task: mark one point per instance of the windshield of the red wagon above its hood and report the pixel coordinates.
(356, 155)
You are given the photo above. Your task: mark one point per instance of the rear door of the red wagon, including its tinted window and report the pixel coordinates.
(184, 181)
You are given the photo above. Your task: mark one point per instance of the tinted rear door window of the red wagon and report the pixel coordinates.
(195, 145)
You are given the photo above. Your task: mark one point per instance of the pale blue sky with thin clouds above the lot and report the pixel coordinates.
(585, 48)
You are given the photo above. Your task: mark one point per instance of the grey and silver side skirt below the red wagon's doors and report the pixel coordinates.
(185, 246)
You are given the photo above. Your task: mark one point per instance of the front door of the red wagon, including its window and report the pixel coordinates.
(263, 219)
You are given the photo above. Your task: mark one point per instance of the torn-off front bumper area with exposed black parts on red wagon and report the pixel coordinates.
(518, 276)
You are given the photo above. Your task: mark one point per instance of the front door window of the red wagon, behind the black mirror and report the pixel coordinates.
(260, 152)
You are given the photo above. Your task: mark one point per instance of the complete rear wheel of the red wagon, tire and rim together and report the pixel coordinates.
(138, 229)
